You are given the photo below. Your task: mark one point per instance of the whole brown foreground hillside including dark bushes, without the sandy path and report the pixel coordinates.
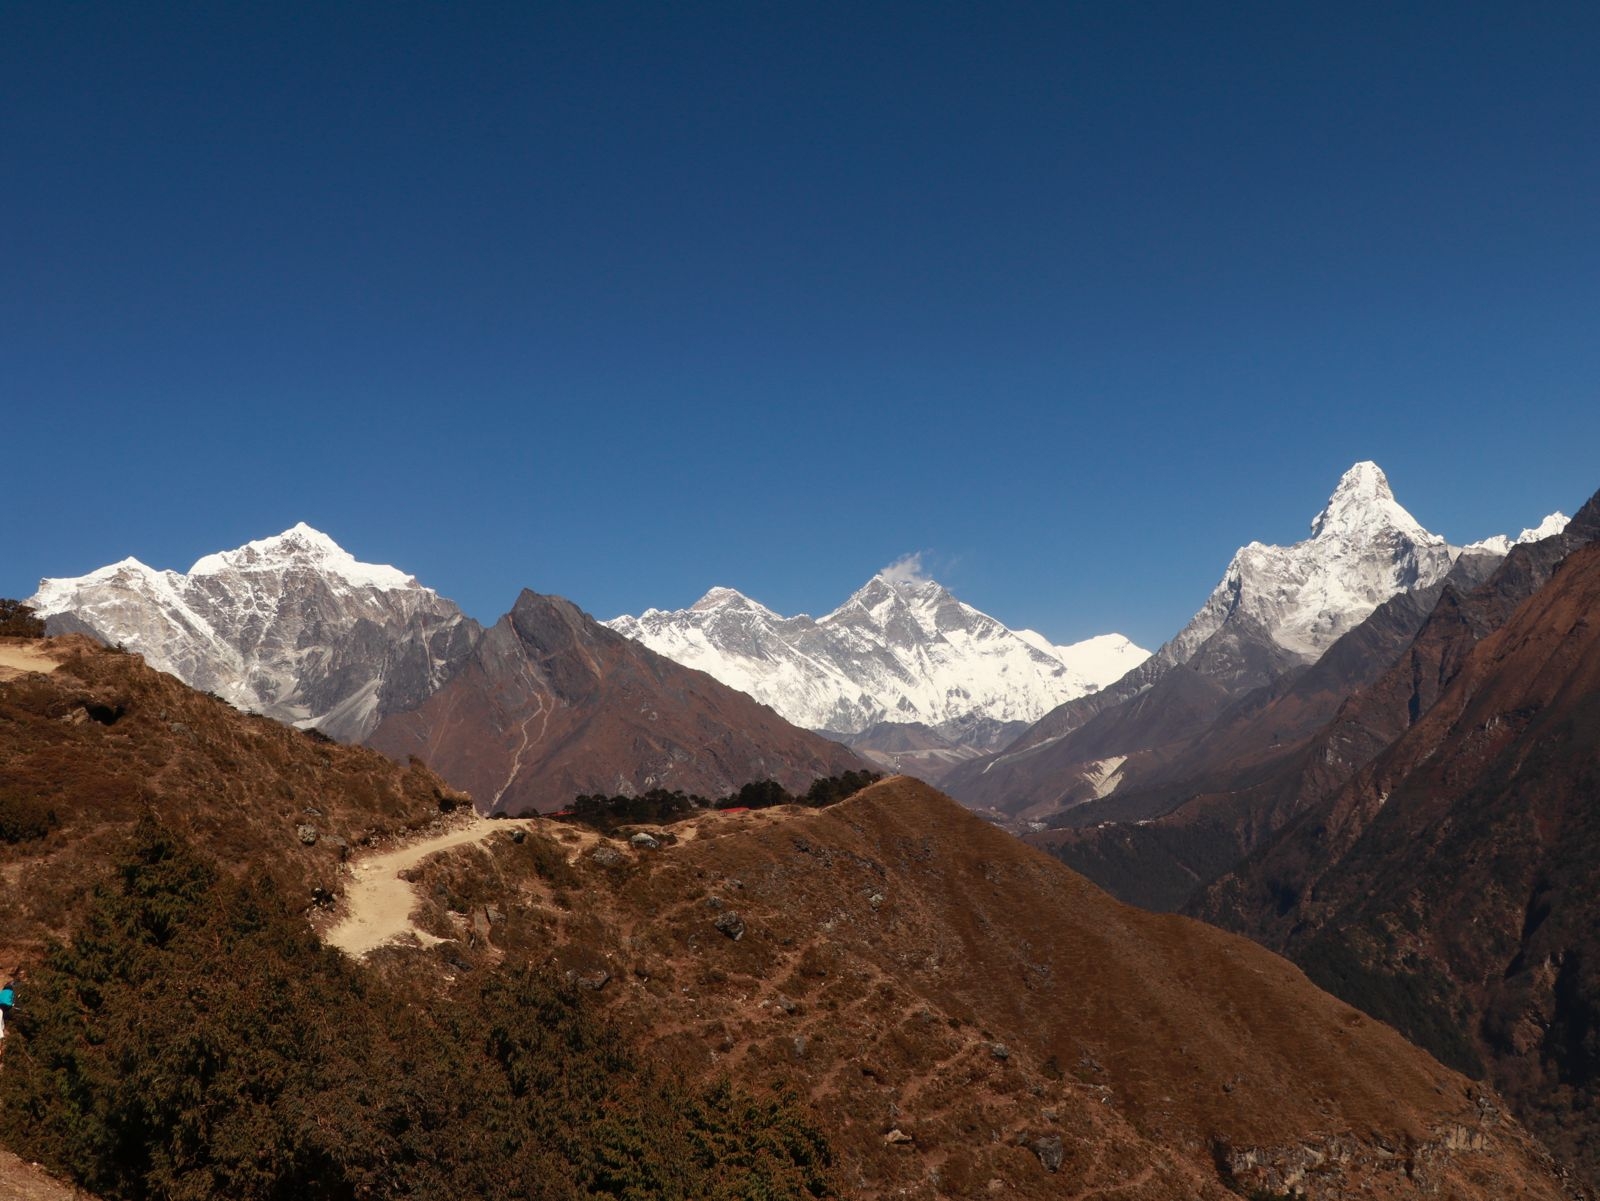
(884, 960)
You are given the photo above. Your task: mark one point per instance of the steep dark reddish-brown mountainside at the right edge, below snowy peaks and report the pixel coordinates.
(1450, 885)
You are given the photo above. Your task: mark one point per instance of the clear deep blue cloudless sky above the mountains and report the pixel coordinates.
(625, 301)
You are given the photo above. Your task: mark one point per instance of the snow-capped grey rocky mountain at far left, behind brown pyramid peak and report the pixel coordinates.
(290, 626)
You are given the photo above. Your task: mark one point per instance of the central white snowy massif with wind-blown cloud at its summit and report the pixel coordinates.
(900, 650)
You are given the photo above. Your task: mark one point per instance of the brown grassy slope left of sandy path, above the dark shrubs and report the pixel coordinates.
(90, 748)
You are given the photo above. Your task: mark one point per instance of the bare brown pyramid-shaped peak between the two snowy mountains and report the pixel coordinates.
(551, 706)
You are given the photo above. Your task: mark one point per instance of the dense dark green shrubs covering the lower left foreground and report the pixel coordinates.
(196, 1040)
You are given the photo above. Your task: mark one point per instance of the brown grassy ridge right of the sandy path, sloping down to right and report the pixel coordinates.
(970, 1016)
